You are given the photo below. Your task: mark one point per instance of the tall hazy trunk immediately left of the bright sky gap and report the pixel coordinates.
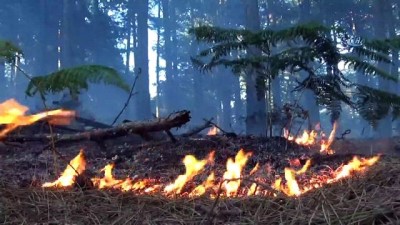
(143, 108)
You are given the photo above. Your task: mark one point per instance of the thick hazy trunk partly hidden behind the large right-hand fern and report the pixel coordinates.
(256, 122)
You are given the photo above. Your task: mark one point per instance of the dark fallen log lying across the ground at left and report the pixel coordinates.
(174, 120)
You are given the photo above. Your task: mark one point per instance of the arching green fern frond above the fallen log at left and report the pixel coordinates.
(75, 79)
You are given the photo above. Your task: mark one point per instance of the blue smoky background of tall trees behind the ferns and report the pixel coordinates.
(151, 40)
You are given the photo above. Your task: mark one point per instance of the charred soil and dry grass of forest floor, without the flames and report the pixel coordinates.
(371, 197)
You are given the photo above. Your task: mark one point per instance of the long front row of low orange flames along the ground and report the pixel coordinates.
(232, 183)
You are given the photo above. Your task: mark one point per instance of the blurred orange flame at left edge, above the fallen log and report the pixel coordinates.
(12, 113)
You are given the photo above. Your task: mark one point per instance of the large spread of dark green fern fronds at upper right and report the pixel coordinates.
(304, 48)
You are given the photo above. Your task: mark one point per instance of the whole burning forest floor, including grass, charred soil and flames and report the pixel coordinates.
(210, 179)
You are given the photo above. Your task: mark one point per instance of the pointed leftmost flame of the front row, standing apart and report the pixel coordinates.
(76, 167)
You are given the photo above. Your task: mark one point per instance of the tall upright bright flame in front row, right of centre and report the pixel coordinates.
(233, 172)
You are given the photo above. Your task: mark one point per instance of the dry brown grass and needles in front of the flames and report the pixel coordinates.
(371, 199)
